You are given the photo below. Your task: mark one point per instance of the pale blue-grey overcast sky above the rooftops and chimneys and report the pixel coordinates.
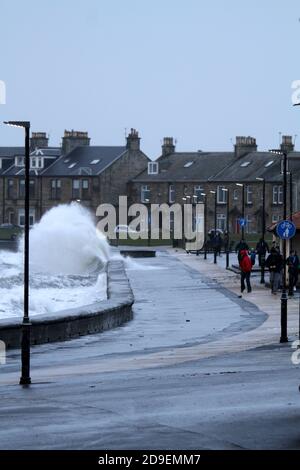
(202, 71)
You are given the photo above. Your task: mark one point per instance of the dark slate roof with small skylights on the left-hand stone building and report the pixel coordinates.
(79, 161)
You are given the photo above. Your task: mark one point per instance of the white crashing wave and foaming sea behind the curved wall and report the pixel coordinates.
(66, 254)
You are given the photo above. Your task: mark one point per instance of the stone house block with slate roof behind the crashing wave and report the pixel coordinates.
(74, 171)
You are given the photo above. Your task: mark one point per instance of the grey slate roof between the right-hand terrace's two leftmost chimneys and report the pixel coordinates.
(200, 166)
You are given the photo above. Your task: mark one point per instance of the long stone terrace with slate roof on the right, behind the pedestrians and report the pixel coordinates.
(218, 177)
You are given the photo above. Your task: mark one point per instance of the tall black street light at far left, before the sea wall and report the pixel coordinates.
(25, 343)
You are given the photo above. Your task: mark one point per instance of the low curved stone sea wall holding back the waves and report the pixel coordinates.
(71, 323)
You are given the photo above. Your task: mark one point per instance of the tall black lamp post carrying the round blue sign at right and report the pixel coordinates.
(283, 337)
